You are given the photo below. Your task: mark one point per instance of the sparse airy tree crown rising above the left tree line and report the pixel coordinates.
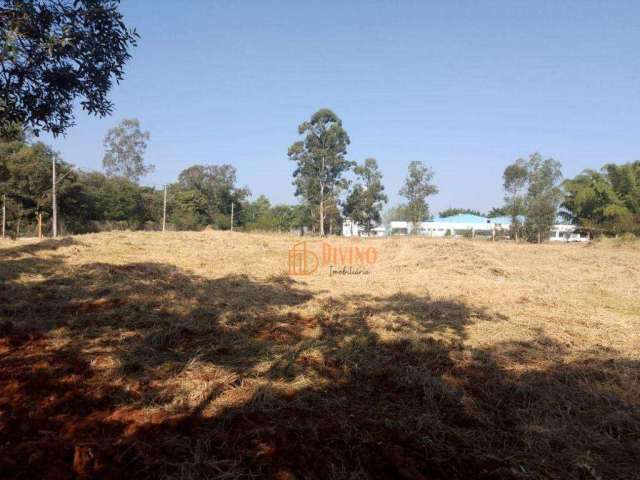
(124, 146)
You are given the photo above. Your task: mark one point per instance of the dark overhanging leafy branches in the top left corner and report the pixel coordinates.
(55, 53)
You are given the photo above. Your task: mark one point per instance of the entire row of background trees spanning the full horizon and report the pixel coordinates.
(330, 187)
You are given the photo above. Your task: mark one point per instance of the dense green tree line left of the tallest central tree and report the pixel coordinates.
(90, 201)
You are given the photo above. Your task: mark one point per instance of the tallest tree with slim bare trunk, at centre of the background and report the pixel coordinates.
(320, 159)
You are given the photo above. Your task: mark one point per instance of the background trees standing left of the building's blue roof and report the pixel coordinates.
(203, 195)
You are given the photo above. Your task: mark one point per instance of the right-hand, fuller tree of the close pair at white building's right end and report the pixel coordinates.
(544, 194)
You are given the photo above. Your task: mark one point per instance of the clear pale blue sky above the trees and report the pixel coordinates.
(466, 87)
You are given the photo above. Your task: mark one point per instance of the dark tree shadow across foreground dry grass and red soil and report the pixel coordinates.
(319, 395)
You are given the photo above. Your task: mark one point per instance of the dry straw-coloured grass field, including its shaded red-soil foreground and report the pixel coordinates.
(196, 355)
